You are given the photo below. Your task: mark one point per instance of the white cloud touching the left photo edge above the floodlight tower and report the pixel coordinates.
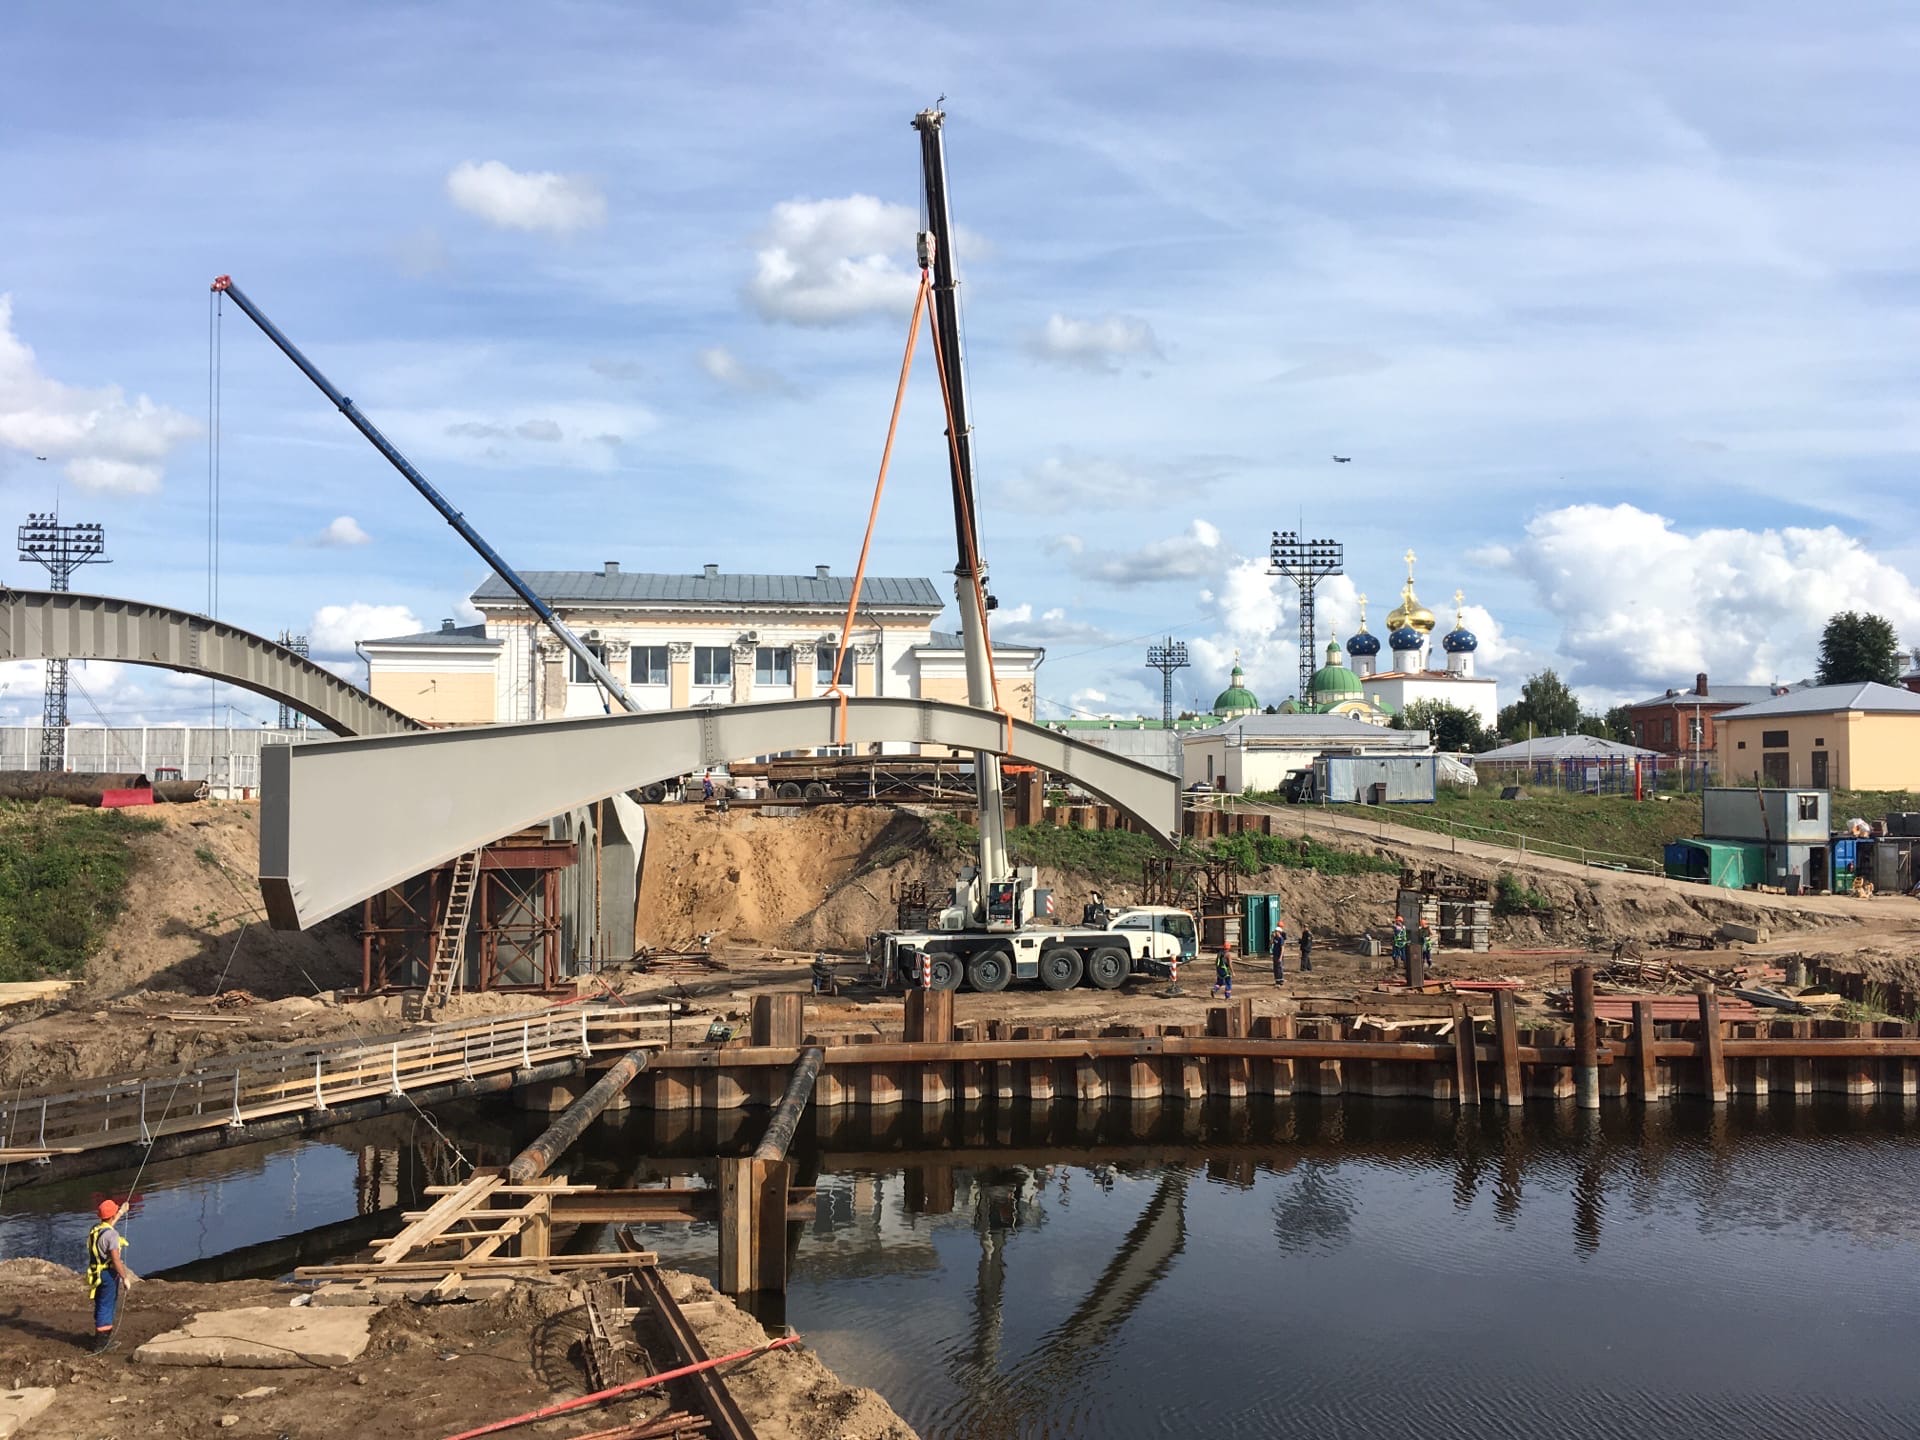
(105, 443)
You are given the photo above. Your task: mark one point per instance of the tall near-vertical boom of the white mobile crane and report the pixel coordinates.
(971, 573)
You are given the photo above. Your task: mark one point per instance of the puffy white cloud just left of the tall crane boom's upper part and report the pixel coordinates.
(828, 262)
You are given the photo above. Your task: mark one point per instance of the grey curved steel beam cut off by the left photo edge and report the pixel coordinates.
(41, 625)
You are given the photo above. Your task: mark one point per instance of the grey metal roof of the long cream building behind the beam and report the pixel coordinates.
(713, 590)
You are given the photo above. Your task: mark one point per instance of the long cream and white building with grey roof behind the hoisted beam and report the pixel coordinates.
(681, 642)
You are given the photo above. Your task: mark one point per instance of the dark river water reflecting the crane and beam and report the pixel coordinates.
(1314, 1268)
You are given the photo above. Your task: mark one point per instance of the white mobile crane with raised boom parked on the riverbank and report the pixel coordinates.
(986, 938)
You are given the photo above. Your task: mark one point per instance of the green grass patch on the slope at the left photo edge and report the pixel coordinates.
(62, 882)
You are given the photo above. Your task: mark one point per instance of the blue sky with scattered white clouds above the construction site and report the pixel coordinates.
(1616, 312)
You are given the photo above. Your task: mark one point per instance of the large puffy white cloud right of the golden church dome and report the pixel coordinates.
(1643, 604)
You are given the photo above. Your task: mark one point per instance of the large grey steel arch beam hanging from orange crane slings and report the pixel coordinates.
(347, 819)
